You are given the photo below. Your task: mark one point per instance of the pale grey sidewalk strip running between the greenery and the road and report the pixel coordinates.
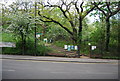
(57, 59)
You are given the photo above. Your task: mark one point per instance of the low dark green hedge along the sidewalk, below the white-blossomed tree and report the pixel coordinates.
(29, 49)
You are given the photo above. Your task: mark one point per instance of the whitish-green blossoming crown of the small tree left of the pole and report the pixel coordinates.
(21, 24)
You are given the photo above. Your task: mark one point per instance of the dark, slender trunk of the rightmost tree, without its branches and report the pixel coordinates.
(107, 34)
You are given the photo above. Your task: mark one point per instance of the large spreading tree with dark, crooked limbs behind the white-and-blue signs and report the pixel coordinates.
(72, 12)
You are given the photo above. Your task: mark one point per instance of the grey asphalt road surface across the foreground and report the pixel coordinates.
(22, 69)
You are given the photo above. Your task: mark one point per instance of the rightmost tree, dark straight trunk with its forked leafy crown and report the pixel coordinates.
(109, 9)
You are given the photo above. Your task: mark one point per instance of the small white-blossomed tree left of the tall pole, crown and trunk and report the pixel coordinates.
(21, 22)
